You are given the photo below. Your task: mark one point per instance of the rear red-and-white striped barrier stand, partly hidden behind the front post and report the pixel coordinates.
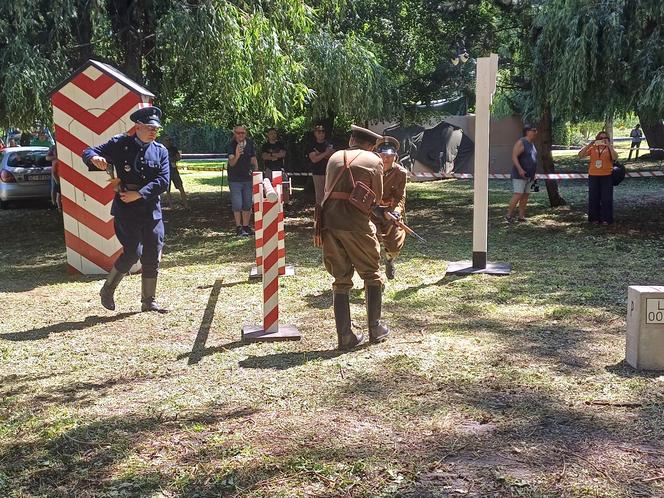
(277, 182)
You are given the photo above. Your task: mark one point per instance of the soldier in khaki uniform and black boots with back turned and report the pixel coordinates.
(349, 238)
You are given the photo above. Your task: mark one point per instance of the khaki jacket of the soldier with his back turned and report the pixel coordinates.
(367, 168)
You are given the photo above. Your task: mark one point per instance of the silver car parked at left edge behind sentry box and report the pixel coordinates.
(24, 174)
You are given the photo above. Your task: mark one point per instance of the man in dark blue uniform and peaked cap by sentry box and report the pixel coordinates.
(142, 169)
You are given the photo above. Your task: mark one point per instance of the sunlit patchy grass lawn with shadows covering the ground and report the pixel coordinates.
(488, 386)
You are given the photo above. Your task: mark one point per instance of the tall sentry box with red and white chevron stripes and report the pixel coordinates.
(89, 108)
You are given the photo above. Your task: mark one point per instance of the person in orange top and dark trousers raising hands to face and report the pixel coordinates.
(600, 178)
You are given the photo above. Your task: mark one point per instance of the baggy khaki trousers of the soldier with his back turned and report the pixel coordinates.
(345, 252)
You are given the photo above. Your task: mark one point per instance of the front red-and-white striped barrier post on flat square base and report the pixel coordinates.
(269, 204)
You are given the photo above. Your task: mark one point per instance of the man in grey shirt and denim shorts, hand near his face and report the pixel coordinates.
(241, 162)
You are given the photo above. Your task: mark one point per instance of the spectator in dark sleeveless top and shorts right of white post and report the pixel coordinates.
(524, 168)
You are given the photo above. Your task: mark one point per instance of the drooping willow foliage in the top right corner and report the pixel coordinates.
(600, 58)
